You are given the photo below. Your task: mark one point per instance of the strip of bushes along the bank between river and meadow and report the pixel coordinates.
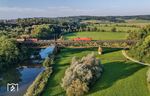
(39, 84)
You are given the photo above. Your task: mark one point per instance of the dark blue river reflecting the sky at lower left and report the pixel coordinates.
(23, 75)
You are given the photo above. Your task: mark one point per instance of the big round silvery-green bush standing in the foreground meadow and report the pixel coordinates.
(81, 74)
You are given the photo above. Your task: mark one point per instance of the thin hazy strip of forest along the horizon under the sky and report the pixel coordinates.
(43, 20)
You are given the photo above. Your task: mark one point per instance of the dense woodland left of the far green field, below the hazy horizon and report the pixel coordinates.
(39, 30)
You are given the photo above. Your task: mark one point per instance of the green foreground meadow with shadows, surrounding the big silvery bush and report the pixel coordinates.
(120, 77)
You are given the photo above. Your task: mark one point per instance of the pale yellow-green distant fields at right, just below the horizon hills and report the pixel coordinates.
(130, 25)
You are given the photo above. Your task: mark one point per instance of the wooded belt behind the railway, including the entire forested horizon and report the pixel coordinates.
(46, 28)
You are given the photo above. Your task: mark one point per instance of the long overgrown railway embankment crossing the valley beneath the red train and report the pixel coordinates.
(70, 43)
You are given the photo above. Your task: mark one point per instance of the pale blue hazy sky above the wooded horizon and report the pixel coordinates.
(11, 9)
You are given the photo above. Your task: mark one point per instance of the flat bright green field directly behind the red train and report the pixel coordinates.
(98, 35)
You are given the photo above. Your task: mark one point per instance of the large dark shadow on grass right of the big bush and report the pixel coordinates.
(113, 72)
